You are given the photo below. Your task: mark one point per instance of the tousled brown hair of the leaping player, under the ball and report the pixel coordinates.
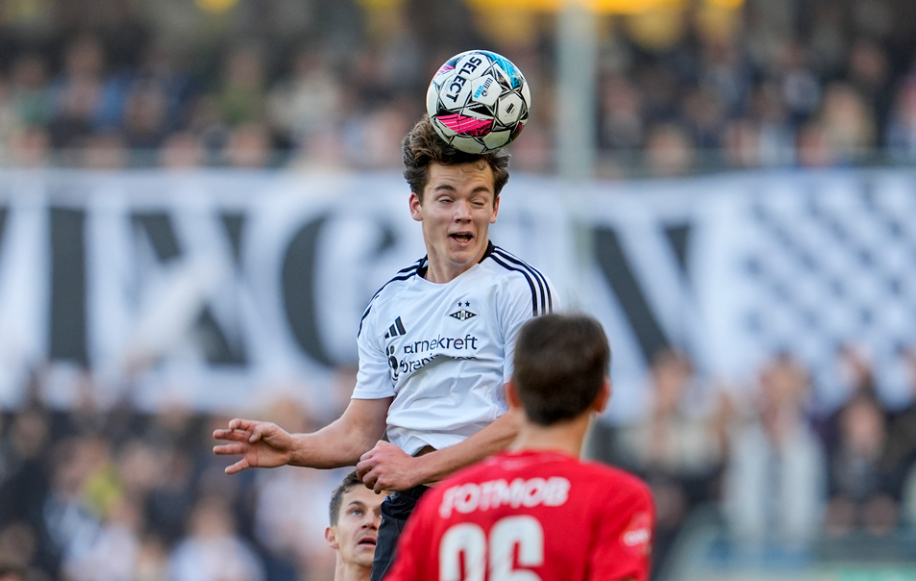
(423, 146)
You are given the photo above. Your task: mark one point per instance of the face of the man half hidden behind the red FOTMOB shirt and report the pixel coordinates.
(356, 532)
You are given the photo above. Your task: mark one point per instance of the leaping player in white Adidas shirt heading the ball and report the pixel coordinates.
(435, 347)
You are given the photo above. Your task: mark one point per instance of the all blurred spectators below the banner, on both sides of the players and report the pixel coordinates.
(102, 492)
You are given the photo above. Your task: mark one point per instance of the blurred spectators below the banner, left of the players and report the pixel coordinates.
(103, 492)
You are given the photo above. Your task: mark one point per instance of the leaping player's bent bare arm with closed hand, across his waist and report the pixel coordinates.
(387, 467)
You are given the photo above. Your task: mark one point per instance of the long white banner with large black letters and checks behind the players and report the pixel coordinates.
(218, 289)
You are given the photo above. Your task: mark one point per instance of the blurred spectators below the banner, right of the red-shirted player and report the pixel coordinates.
(783, 469)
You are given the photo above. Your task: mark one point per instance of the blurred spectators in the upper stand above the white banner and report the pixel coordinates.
(336, 83)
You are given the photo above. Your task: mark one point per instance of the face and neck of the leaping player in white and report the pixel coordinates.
(459, 204)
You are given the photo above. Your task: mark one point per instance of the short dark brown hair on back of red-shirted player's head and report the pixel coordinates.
(561, 362)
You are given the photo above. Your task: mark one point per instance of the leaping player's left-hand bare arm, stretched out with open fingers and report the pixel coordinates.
(340, 443)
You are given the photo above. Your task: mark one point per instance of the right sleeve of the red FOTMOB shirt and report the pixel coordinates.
(624, 544)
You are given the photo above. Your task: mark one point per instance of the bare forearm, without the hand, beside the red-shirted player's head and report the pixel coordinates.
(493, 438)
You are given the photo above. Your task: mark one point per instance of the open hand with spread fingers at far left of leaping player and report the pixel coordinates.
(261, 444)
